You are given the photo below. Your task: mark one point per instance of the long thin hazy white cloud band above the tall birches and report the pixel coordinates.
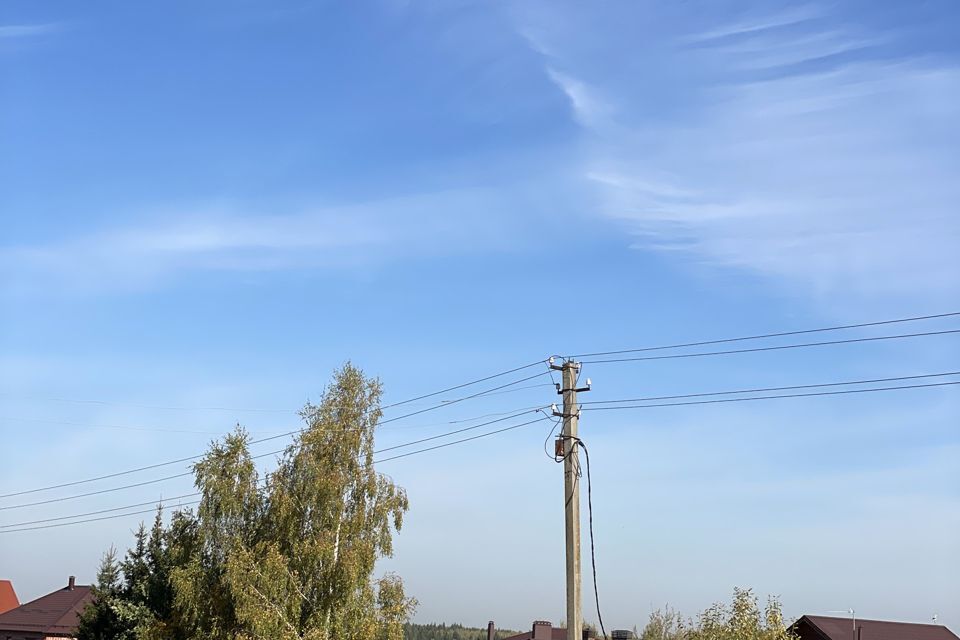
(224, 239)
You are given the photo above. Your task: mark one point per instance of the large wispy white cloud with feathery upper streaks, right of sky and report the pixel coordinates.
(838, 178)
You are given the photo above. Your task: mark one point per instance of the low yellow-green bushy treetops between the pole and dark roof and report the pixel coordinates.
(741, 620)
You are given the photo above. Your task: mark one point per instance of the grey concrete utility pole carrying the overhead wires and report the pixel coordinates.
(571, 492)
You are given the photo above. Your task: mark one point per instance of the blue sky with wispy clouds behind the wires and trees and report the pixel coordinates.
(215, 204)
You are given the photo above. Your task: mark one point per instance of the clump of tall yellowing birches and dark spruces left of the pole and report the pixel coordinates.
(287, 556)
